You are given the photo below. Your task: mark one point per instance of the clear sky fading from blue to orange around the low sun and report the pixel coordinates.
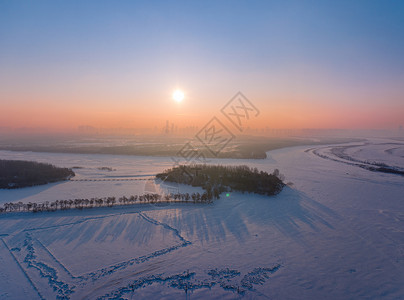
(303, 64)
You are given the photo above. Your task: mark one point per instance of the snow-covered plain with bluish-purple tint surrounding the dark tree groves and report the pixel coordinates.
(336, 233)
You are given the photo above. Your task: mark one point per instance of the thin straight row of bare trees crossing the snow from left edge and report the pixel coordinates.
(105, 202)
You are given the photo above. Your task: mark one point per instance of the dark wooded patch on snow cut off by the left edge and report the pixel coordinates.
(17, 174)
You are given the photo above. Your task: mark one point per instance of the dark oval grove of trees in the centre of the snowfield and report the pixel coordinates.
(216, 179)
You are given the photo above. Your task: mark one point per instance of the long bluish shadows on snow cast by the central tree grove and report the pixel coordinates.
(290, 212)
